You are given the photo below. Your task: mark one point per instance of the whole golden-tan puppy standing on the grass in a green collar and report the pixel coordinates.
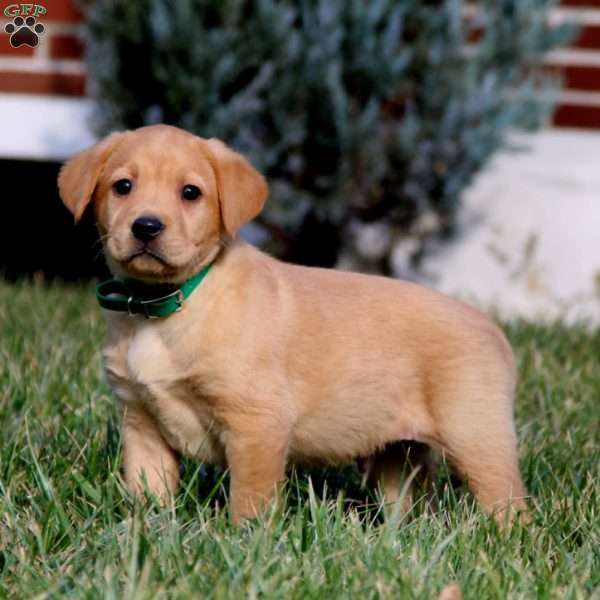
(266, 363)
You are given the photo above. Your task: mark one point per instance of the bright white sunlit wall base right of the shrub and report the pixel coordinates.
(529, 244)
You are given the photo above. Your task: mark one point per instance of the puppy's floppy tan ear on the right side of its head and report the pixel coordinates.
(242, 189)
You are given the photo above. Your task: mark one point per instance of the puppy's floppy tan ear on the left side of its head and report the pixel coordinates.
(78, 177)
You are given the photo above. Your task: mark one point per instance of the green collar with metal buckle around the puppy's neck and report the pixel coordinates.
(115, 295)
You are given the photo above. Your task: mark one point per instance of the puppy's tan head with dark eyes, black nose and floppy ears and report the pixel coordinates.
(163, 199)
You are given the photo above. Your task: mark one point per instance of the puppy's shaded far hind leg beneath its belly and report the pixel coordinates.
(398, 471)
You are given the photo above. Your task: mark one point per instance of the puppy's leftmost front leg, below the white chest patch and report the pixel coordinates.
(148, 461)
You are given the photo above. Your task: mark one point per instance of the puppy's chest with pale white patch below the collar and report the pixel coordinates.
(143, 369)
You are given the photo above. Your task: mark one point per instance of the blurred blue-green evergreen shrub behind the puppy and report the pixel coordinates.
(365, 115)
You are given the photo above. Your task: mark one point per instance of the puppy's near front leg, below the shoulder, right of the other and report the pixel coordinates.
(257, 464)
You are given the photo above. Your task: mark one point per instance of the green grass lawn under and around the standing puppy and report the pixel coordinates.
(69, 529)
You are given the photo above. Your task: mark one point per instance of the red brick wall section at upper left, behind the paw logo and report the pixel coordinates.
(56, 65)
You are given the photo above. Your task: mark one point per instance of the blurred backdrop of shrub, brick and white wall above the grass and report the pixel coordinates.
(449, 142)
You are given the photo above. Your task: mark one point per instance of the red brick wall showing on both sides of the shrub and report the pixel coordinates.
(56, 67)
